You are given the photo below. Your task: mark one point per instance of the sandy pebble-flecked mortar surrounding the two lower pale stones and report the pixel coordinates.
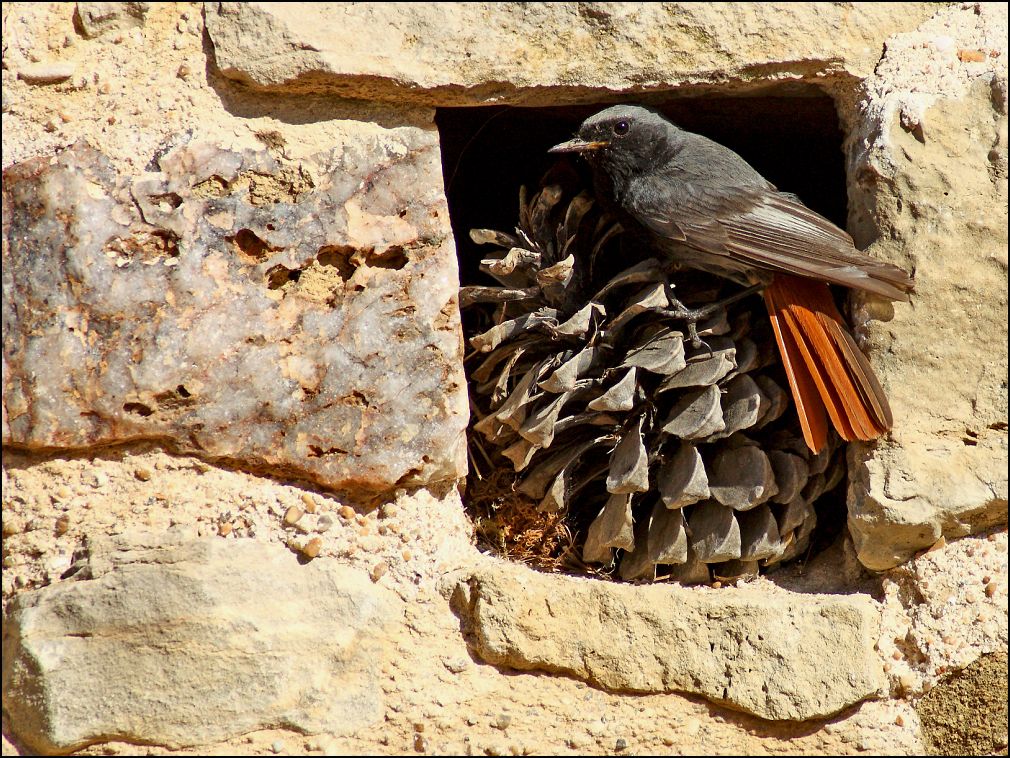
(420, 548)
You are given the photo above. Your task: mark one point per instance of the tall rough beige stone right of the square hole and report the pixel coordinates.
(929, 170)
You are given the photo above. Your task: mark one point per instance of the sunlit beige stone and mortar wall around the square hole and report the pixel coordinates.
(235, 408)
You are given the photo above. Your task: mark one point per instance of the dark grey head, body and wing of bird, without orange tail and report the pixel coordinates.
(712, 211)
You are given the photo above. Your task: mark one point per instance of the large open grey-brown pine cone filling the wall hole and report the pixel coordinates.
(660, 454)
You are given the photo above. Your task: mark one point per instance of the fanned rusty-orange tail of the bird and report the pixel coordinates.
(828, 374)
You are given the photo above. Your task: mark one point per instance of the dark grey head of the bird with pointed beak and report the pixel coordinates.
(625, 141)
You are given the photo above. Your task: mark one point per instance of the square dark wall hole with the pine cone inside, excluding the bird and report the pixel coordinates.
(587, 453)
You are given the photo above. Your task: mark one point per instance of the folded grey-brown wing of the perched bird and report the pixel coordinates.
(770, 231)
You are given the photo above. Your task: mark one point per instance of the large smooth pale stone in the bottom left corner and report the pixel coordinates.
(169, 630)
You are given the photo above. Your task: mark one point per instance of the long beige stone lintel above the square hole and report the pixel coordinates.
(449, 56)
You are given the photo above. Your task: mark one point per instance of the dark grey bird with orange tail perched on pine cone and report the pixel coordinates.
(710, 210)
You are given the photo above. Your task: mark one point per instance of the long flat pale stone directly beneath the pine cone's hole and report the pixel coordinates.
(728, 646)
